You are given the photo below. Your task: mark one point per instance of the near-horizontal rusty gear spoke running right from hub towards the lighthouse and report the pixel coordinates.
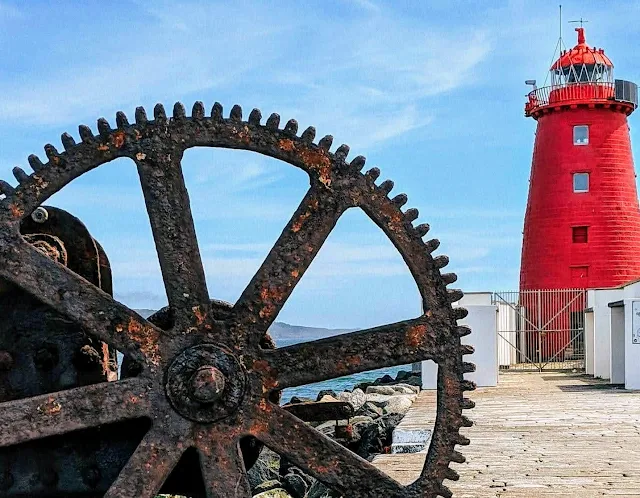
(390, 345)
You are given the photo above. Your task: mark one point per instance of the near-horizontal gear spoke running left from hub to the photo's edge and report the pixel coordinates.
(72, 410)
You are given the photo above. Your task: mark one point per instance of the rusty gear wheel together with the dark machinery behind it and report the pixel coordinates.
(199, 383)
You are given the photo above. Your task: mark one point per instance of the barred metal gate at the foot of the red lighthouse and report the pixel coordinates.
(541, 329)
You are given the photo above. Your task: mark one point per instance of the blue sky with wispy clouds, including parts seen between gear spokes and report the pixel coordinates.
(432, 92)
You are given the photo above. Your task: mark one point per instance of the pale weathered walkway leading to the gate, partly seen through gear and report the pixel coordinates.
(548, 434)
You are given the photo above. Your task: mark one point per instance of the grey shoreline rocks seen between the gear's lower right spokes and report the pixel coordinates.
(379, 407)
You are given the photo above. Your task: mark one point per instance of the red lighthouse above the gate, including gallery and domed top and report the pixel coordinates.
(582, 224)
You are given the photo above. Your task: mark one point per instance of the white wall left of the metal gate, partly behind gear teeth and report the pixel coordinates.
(483, 337)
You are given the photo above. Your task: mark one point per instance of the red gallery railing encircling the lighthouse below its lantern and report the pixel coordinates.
(618, 91)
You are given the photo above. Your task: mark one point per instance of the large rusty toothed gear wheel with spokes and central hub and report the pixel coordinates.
(204, 383)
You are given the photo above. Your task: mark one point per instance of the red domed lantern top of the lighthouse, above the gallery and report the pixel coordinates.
(582, 63)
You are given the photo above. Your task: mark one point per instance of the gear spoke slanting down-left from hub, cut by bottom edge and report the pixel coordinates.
(148, 468)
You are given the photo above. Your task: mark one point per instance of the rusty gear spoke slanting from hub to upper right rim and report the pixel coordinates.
(287, 261)
